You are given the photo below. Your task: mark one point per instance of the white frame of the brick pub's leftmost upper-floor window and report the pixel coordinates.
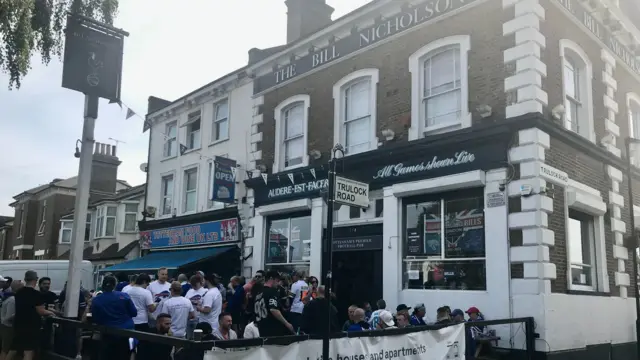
(278, 164)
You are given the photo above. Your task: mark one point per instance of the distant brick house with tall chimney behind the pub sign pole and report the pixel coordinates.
(38, 211)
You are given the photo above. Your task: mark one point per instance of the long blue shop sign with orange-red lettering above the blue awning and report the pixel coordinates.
(196, 234)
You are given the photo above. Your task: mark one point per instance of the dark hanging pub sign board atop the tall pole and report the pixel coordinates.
(93, 58)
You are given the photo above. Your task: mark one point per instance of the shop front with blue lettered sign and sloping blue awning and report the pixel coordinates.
(206, 242)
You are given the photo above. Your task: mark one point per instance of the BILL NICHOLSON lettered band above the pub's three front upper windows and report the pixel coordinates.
(407, 18)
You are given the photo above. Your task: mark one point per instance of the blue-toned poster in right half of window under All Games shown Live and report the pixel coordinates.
(464, 234)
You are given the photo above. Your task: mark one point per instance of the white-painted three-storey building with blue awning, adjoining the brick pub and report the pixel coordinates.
(196, 164)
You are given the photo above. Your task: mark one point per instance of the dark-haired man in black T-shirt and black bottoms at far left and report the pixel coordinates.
(28, 318)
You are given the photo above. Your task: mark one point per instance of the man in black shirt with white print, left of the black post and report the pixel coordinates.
(268, 310)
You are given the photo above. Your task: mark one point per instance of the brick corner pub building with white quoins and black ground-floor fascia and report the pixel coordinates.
(494, 152)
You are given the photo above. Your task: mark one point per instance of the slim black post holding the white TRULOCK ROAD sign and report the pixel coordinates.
(327, 256)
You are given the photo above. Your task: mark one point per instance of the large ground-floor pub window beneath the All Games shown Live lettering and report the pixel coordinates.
(444, 242)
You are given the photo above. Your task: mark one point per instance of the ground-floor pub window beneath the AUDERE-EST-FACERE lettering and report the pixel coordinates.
(288, 243)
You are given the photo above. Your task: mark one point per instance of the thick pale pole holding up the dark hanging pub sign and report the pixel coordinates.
(80, 211)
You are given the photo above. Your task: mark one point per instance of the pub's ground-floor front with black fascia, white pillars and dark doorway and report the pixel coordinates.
(435, 231)
